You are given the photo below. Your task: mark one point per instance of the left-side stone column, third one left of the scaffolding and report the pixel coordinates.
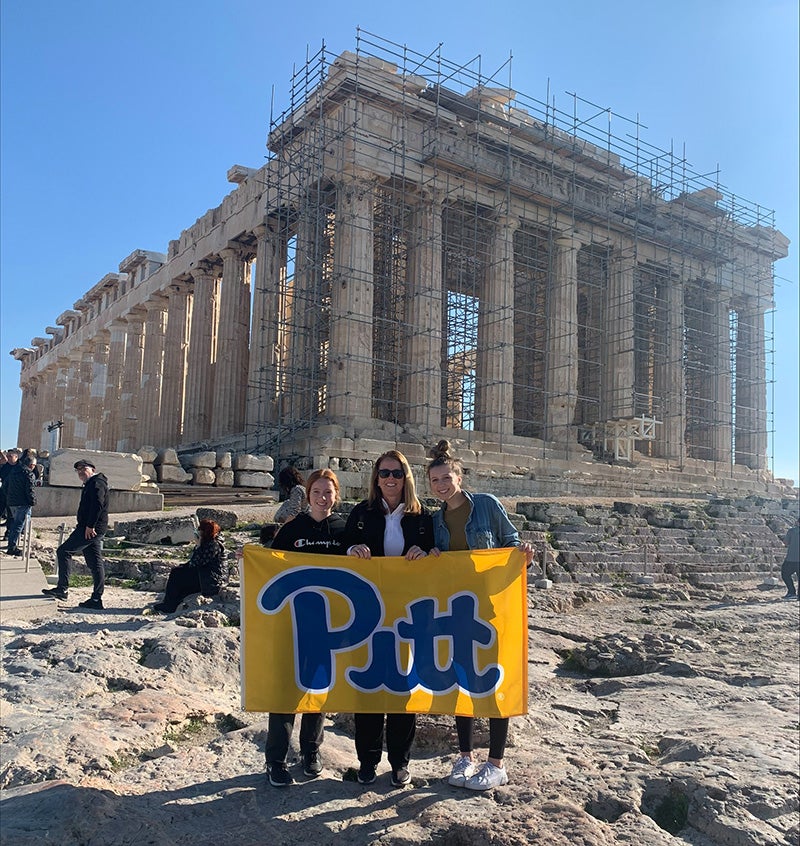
(173, 383)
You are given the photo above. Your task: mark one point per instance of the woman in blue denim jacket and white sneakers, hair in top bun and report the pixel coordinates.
(471, 521)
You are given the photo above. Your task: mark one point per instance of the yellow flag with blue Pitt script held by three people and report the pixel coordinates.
(440, 635)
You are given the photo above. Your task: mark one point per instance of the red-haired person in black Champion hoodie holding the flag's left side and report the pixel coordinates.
(320, 531)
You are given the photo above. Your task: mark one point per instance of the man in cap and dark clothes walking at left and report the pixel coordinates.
(87, 537)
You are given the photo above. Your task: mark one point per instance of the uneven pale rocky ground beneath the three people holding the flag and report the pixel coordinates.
(657, 716)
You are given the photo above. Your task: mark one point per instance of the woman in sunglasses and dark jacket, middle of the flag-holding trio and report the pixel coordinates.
(391, 521)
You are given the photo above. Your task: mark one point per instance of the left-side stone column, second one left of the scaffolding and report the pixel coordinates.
(201, 355)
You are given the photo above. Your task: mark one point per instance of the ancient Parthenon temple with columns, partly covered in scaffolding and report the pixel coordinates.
(428, 253)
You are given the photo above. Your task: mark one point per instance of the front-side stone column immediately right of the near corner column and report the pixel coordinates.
(421, 381)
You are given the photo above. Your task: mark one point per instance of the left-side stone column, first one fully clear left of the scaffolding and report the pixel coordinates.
(230, 379)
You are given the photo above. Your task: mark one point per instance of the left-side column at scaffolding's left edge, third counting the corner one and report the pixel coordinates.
(262, 379)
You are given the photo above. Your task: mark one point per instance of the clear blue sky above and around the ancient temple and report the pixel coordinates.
(120, 120)
